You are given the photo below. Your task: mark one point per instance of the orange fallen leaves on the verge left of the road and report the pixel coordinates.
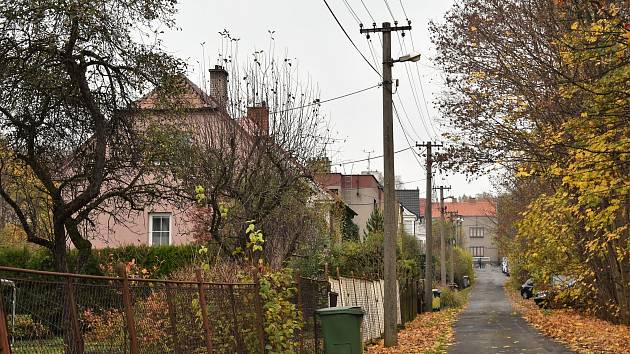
(430, 332)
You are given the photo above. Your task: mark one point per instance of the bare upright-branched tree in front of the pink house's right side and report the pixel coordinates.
(253, 159)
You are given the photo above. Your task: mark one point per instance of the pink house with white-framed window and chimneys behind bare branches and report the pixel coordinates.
(165, 223)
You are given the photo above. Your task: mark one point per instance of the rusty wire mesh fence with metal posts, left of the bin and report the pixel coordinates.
(46, 312)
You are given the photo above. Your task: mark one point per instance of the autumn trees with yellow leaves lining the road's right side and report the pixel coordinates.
(541, 89)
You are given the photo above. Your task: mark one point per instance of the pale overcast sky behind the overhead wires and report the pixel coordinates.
(308, 32)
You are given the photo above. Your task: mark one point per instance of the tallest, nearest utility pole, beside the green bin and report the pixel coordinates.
(390, 309)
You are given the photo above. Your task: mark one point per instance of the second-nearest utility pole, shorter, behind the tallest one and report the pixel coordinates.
(428, 214)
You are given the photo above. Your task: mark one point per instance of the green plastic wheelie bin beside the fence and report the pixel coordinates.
(341, 328)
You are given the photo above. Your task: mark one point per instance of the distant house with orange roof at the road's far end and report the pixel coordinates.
(477, 233)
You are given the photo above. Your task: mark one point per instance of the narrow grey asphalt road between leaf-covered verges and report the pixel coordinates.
(489, 324)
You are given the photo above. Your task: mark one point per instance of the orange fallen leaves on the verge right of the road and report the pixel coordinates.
(584, 334)
